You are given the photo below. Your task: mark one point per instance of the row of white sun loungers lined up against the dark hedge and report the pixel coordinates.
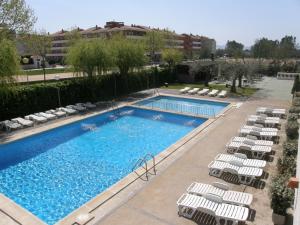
(42, 117)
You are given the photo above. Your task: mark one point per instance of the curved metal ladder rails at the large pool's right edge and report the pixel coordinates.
(143, 163)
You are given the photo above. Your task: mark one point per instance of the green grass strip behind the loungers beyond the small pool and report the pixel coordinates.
(242, 92)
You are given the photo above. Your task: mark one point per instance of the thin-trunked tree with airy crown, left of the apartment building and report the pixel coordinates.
(39, 44)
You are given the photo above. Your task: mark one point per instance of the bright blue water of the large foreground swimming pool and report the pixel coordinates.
(53, 173)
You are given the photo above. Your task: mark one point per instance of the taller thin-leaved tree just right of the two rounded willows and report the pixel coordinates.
(154, 42)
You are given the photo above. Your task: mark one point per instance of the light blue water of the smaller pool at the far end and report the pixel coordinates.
(184, 105)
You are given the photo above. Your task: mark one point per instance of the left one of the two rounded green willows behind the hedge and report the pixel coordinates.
(90, 56)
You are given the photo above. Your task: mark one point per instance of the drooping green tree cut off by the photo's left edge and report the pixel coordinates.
(9, 62)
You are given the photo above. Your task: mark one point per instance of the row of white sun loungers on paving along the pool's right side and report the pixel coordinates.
(216, 199)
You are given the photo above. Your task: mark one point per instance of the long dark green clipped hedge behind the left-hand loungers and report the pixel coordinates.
(26, 99)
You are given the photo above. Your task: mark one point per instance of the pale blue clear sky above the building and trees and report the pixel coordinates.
(240, 20)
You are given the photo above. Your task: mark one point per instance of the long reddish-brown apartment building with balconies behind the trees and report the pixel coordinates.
(189, 44)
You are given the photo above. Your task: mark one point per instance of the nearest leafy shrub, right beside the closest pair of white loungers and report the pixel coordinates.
(281, 195)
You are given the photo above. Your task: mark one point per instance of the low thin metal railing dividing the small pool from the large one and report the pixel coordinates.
(182, 108)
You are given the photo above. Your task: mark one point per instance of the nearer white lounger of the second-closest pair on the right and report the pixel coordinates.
(246, 174)
